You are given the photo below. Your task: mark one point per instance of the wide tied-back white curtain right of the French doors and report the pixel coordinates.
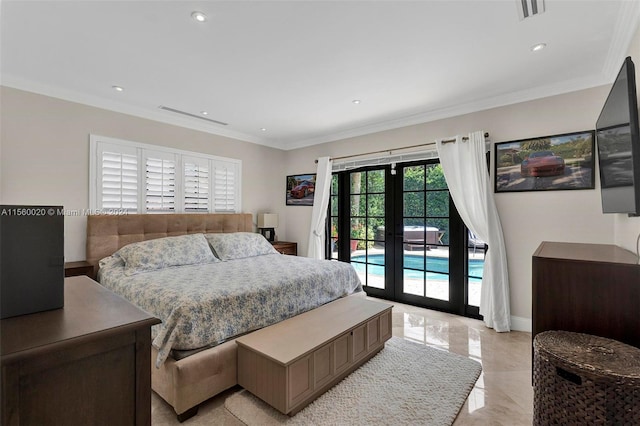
(465, 169)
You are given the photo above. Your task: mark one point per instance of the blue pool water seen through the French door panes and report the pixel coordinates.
(437, 267)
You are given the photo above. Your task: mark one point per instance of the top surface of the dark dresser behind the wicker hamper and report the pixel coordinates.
(605, 253)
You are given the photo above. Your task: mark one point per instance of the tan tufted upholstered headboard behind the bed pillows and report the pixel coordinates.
(108, 233)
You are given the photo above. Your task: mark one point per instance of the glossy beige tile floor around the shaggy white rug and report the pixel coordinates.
(502, 396)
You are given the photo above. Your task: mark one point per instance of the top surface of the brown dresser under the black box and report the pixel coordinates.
(89, 310)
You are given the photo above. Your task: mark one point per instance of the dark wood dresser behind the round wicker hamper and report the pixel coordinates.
(587, 288)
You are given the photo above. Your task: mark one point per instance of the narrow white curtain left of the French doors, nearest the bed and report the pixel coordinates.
(320, 205)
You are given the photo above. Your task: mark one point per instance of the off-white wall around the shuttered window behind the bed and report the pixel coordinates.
(45, 157)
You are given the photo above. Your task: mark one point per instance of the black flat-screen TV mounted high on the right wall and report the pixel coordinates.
(618, 142)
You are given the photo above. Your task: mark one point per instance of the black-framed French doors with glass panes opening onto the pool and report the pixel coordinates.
(400, 230)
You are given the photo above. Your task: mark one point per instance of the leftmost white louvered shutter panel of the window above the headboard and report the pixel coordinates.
(118, 178)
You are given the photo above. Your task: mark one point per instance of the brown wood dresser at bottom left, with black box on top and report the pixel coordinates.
(88, 363)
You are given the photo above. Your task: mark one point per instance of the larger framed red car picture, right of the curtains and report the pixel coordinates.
(557, 162)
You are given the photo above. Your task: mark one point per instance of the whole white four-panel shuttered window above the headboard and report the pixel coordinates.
(141, 178)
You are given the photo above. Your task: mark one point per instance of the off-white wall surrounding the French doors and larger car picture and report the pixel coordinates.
(528, 218)
